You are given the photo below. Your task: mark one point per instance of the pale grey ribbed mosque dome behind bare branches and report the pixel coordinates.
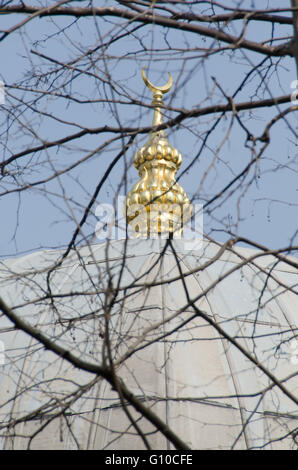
(200, 338)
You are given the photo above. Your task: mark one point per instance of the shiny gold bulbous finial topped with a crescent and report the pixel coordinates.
(157, 204)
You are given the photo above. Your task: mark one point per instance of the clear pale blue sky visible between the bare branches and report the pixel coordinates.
(265, 211)
